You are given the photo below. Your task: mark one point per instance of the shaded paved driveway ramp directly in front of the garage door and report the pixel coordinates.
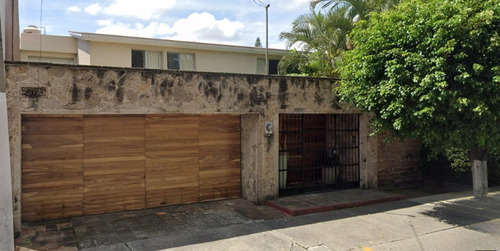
(121, 227)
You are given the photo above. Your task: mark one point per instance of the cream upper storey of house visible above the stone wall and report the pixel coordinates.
(82, 48)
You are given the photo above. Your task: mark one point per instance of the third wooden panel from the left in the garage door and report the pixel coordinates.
(171, 160)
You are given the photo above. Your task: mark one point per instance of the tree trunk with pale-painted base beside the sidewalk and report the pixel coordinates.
(478, 157)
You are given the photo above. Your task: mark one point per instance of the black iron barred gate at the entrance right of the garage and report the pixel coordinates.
(318, 152)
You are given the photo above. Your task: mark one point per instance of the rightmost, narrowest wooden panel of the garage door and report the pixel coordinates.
(219, 157)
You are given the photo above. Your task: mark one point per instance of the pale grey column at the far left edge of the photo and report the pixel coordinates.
(6, 216)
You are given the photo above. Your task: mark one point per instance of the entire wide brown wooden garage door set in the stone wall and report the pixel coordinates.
(77, 165)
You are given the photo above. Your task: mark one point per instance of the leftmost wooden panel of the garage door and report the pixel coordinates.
(52, 167)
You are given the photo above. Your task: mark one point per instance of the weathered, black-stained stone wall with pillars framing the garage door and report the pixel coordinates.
(57, 89)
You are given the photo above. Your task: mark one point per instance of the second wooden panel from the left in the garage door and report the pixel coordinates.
(114, 150)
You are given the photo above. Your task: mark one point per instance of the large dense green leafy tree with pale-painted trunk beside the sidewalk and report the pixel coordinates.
(430, 69)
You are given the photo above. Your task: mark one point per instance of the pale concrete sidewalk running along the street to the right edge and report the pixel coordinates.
(453, 221)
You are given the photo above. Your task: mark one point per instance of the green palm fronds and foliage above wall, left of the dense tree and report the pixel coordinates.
(321, 36)
